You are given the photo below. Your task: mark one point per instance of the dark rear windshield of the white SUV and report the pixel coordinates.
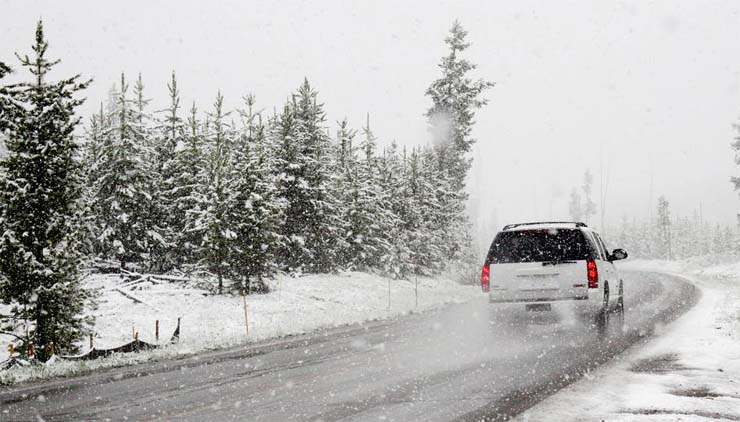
(538, 246)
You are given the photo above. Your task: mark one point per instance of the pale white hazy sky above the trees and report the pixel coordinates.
(652, 87)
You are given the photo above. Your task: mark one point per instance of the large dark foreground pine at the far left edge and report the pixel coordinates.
(39, 196)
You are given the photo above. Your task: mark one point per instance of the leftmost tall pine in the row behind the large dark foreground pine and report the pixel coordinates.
(123, 195)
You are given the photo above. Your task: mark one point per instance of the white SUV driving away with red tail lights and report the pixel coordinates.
(540, 263)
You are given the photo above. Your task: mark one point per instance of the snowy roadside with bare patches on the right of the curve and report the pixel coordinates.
(689, 373)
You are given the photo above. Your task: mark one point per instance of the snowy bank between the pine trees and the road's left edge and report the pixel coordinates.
(296, 305)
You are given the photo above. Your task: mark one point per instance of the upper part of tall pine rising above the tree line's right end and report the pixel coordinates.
(455, 98)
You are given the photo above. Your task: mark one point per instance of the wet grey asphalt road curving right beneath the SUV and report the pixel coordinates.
(470, 362)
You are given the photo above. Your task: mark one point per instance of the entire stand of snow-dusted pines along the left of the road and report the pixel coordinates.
(239, 194)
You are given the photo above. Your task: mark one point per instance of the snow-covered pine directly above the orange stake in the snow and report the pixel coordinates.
(257, 212)
